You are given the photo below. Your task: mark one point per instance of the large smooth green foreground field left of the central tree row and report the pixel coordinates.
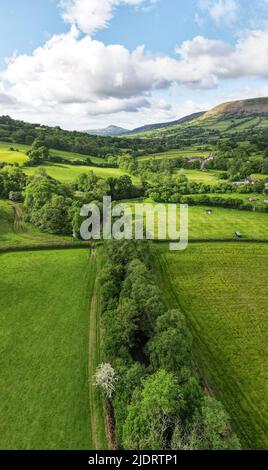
(45, 331)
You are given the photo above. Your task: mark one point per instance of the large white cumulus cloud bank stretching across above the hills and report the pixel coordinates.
(79, 76)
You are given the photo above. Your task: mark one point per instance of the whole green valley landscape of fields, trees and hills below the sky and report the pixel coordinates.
(189, 323)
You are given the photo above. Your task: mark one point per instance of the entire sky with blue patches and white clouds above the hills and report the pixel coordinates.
(163, 88)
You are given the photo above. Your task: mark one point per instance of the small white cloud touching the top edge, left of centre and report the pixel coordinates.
(91, 15)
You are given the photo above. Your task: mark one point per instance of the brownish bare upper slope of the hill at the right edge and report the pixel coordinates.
(239, 108)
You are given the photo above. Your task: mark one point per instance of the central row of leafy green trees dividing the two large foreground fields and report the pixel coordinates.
(154, 389)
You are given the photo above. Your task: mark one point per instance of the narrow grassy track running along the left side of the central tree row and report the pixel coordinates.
(96, 408)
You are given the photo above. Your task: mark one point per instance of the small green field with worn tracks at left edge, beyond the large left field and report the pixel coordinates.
(14, 232)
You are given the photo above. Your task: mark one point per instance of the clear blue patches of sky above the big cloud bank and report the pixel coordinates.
(27, 24)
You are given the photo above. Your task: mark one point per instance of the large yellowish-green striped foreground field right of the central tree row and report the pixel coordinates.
(223, 290)
